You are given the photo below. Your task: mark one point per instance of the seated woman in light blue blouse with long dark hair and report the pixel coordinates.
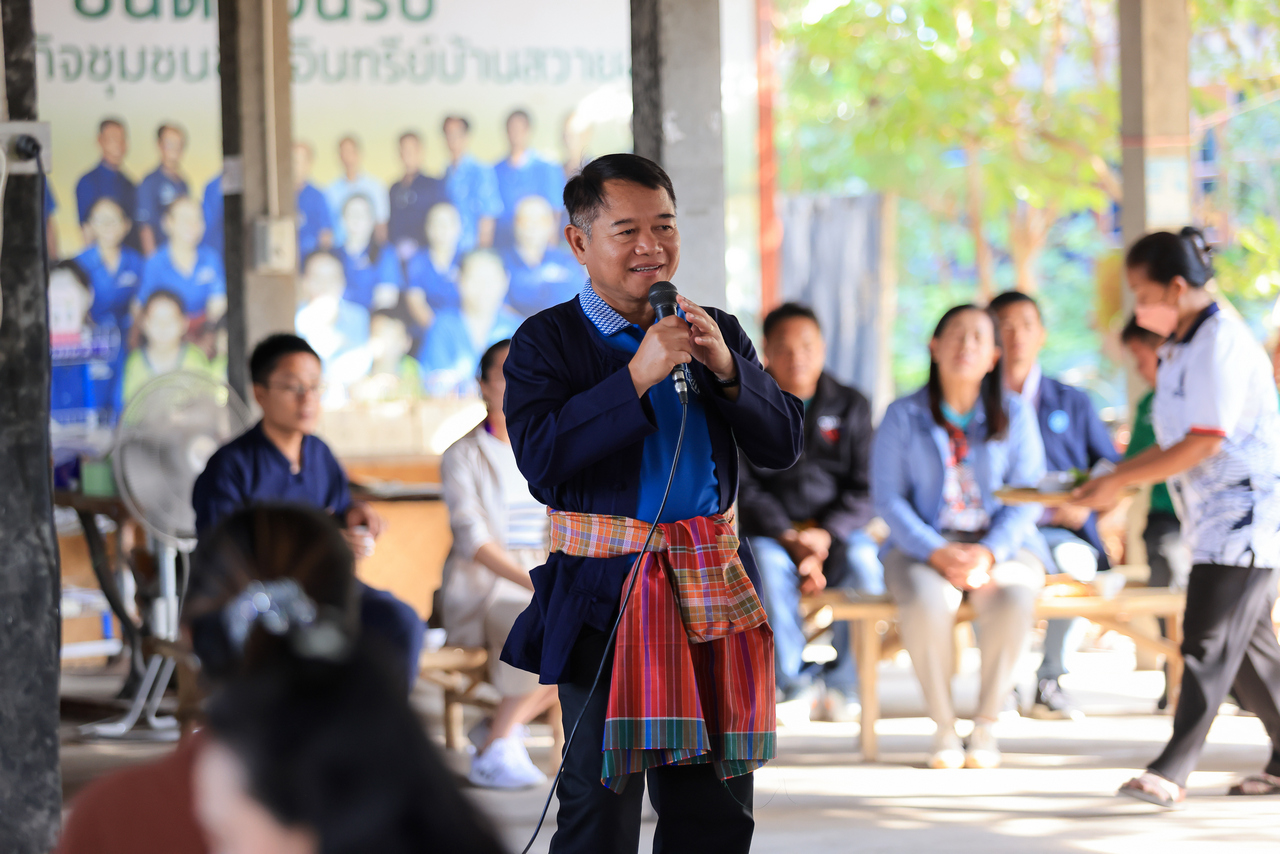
(938, 462)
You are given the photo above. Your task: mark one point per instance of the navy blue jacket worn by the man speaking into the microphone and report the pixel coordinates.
(578, 430)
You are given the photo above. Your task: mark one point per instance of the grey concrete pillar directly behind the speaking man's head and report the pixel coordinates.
(676, 120)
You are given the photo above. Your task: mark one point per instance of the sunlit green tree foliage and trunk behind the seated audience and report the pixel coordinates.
(994, 121)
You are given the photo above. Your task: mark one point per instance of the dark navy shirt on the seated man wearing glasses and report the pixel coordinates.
(250, 469)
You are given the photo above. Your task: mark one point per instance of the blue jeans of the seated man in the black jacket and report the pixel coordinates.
(781, 600)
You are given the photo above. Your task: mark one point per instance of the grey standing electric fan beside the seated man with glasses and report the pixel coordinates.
(163, 441)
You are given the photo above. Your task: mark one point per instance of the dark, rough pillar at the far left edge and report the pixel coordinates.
(30, 625)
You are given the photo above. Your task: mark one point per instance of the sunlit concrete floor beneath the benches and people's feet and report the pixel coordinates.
(1054, 794)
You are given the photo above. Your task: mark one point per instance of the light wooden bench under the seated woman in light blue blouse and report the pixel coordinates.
(867, 614)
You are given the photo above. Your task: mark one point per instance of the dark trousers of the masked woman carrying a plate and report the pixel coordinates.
(1228, 640)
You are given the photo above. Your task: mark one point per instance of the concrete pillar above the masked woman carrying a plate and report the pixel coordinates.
(1155, 116)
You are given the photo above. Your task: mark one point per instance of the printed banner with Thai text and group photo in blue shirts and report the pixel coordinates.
(433, 140)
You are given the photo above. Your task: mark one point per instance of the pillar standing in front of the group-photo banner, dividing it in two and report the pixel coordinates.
(258, 176)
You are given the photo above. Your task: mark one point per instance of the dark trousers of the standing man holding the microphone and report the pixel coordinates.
(697, 812)
